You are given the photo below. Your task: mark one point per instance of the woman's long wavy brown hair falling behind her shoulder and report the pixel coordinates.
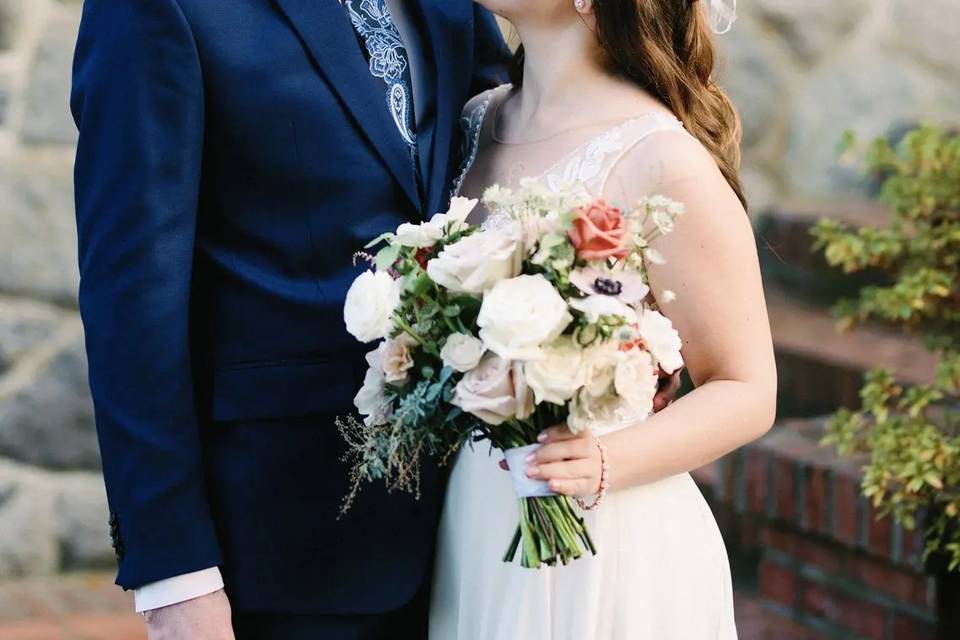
(666, 48)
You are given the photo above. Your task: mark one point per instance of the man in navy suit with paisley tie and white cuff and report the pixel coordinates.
(233, 155)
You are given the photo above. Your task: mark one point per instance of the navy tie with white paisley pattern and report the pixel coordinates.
(388, 61)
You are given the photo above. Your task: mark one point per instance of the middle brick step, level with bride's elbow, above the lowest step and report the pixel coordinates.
(821, 368)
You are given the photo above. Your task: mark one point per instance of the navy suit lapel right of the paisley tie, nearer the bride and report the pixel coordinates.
(449, 35)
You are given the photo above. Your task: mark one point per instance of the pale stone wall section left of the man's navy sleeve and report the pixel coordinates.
(52, 506)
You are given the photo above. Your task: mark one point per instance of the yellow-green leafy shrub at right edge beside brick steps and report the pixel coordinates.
(910, 433)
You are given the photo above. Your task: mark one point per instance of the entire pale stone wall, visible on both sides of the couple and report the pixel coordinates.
(800, 72)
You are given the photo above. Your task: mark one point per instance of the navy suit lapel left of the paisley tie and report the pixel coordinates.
(325, 30)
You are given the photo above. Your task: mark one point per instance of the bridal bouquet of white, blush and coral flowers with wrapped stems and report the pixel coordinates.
(497, 331)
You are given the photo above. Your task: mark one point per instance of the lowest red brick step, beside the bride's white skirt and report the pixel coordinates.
(796, 524)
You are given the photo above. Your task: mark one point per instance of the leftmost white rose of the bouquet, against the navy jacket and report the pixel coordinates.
(369, 306)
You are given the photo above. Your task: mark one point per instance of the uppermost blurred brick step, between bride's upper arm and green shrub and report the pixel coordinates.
(784, 243)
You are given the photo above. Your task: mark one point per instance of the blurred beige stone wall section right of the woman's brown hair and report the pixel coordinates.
(803, 71)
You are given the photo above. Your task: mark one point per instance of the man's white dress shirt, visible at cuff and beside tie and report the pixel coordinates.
(200, 583)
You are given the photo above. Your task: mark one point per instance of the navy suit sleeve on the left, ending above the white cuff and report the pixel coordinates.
(138, 102)
